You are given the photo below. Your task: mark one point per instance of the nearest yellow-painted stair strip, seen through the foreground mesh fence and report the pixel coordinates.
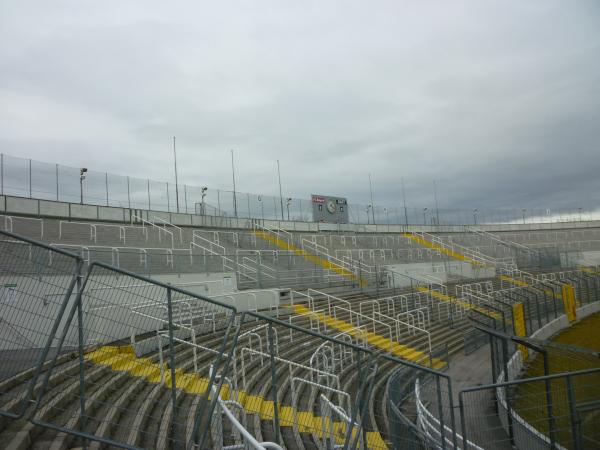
(123, 359)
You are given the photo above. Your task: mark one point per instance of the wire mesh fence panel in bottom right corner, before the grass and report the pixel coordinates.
(555, 411)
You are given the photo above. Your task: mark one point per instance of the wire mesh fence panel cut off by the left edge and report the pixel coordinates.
(37, 285)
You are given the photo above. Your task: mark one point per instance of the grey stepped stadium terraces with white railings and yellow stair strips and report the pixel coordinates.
(95, 352)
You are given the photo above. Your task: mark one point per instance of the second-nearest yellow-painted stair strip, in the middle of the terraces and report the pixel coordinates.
(403, 351)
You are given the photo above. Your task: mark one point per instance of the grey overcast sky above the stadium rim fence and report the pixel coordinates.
(499, 101)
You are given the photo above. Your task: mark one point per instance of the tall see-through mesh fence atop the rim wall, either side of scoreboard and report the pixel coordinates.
(34, 179)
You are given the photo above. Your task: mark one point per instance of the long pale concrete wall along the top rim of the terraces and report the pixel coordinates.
(47, 208)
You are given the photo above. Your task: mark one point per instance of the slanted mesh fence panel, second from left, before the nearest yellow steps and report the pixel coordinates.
(143, 360)
